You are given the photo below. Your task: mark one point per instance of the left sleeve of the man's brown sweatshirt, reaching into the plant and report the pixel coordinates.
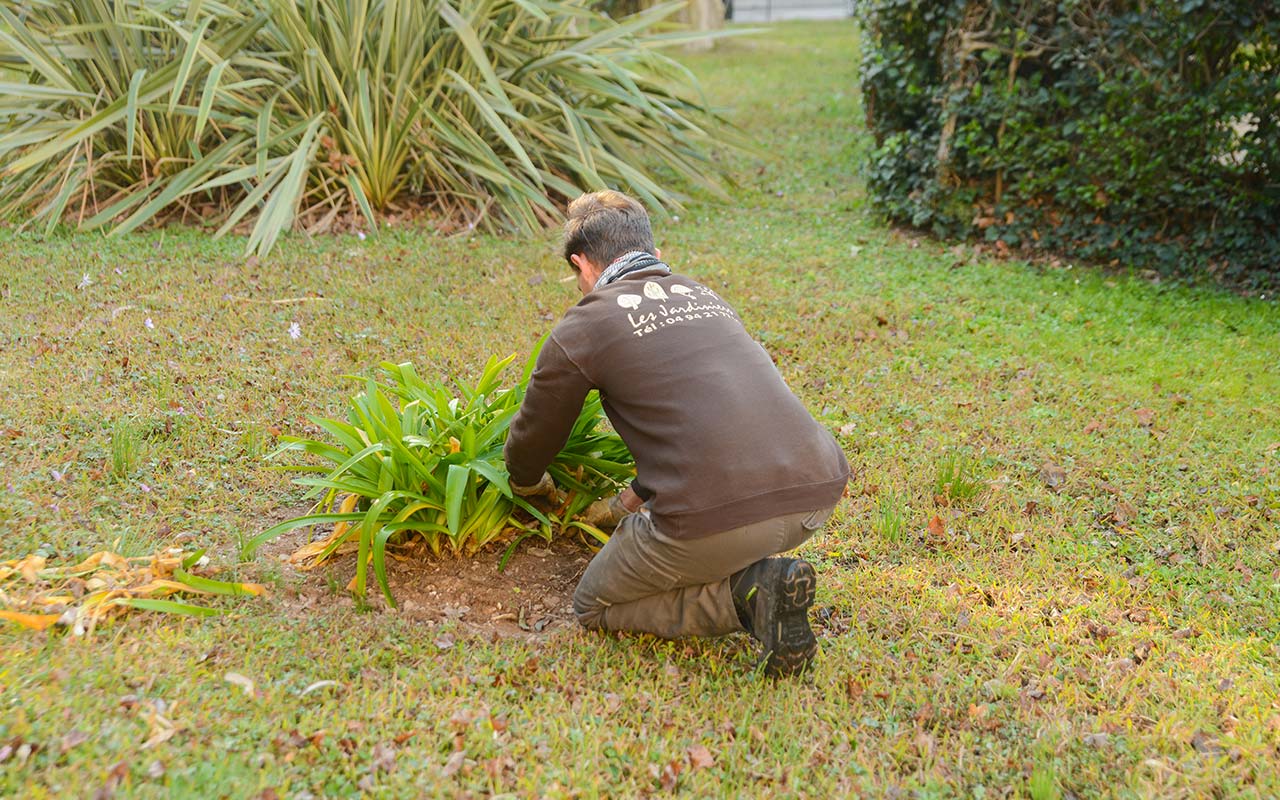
(546, 419)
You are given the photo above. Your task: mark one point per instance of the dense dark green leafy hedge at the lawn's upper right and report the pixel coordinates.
(1135, 132)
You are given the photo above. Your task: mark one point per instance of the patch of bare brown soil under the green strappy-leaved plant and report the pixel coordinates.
(531, 597)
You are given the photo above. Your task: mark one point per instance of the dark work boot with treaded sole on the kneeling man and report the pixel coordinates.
(772, 598)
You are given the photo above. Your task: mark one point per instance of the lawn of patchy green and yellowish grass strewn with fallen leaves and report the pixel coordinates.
(1044, 646)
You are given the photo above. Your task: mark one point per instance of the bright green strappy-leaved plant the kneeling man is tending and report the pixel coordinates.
(415, 459)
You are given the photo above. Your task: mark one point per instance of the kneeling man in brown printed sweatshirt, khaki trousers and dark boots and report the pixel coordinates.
(732, 469)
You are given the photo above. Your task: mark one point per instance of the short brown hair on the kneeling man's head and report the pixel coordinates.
(604, 226)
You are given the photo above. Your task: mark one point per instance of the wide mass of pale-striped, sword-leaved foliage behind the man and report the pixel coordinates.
(277, 111)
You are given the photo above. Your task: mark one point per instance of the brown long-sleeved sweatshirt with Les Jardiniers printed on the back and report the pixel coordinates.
(719, 438)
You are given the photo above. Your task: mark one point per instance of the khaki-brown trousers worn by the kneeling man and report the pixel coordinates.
(646, 582)
